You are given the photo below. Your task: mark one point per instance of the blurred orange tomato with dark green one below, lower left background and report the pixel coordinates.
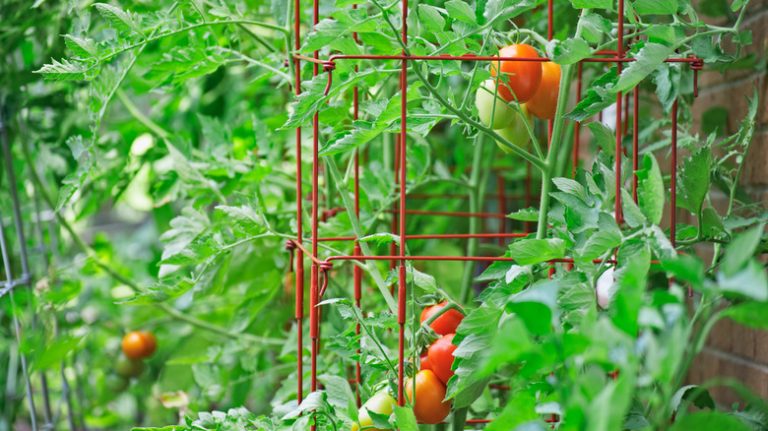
(136, 346)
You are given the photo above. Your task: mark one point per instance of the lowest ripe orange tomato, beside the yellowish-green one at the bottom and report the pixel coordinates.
(429, 406)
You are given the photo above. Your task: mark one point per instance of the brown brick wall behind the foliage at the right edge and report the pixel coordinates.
(732, 350)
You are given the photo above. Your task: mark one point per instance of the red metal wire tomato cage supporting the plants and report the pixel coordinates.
(306, 247)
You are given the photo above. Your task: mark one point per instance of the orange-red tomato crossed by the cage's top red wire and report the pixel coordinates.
(519, 79)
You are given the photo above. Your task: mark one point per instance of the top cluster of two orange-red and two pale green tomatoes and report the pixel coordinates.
(518, 90)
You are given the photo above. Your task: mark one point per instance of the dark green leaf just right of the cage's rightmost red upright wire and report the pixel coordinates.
(693, 180)
